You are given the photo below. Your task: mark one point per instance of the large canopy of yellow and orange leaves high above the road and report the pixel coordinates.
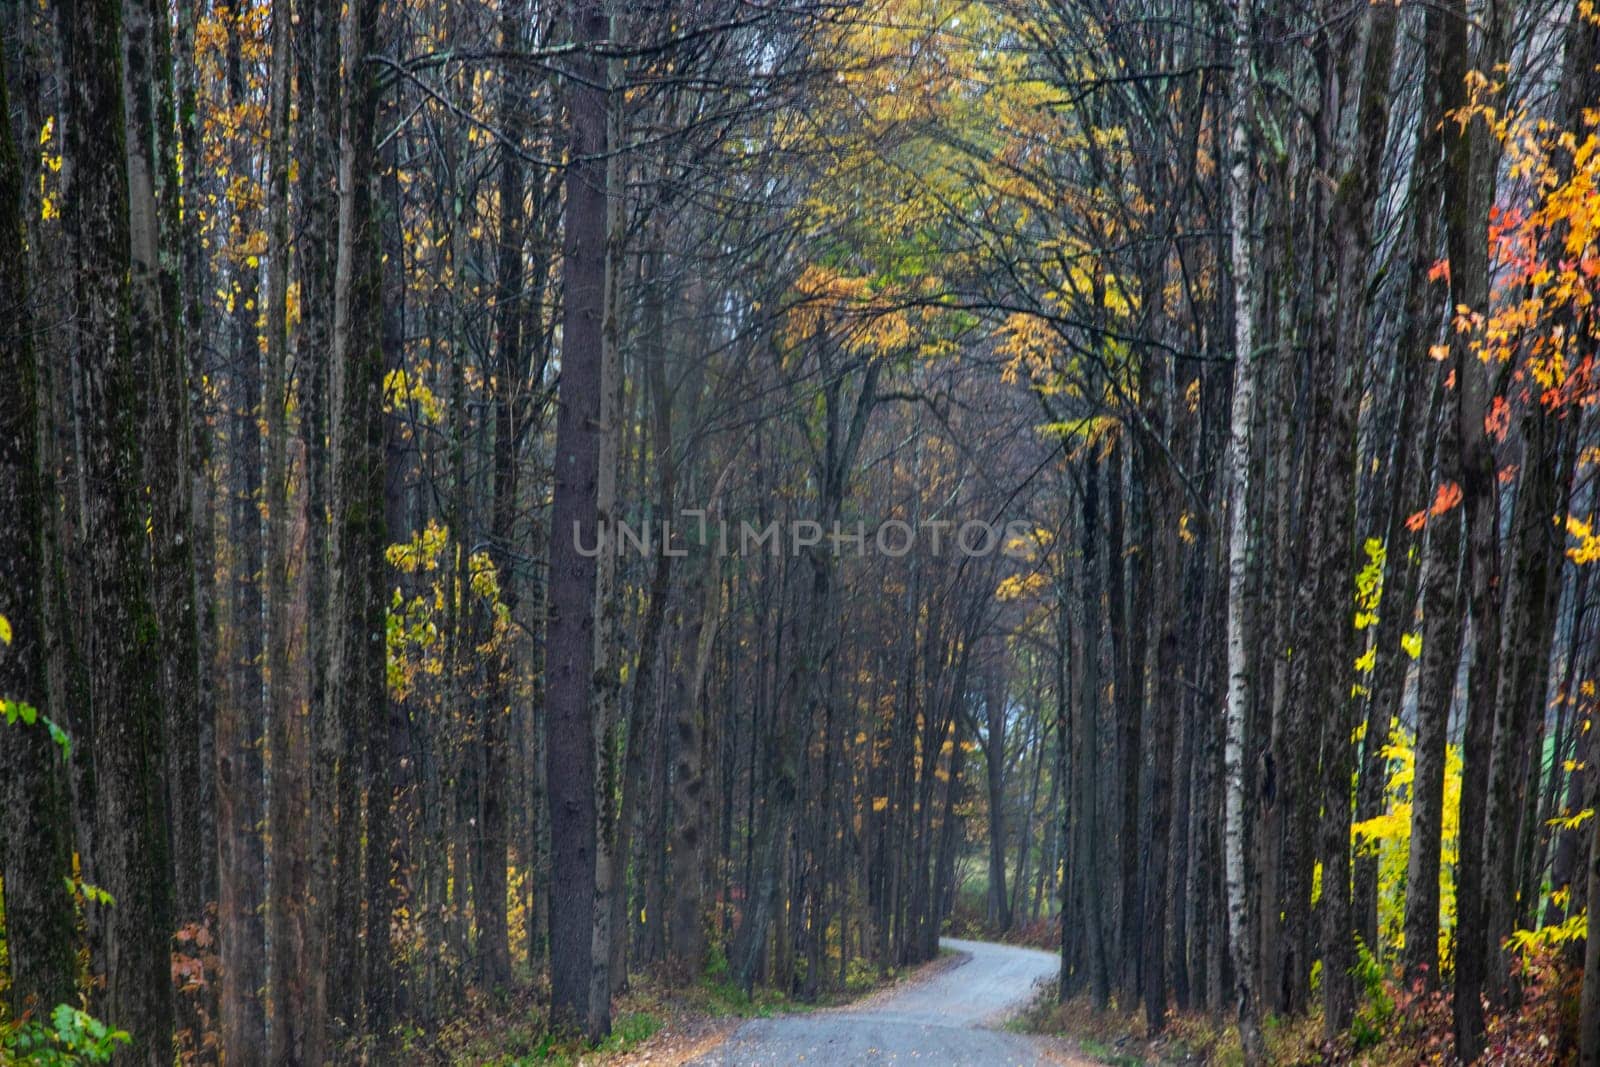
(942, 111)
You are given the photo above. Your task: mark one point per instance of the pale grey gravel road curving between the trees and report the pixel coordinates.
(945, 1020)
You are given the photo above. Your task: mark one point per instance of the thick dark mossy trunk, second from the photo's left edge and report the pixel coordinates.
(124, 634)
